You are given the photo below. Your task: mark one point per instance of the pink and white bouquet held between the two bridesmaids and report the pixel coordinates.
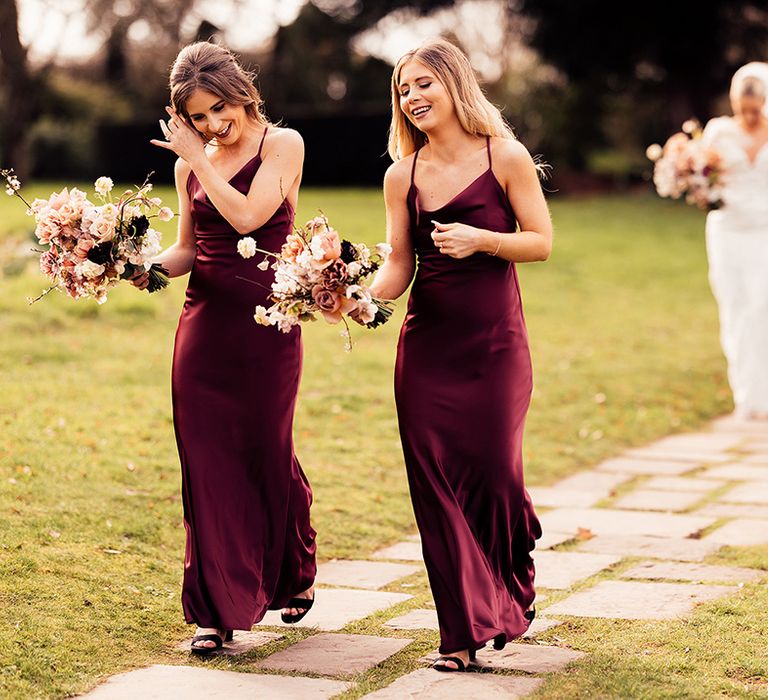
(318, 272)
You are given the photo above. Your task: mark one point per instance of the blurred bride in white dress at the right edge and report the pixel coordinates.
(737, 239)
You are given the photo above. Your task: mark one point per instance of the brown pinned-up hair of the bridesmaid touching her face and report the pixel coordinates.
(209, 67)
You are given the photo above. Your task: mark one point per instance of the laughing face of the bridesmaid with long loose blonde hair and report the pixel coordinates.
(423, 98)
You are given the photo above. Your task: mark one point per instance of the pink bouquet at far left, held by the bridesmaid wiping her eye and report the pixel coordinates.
(91, 247)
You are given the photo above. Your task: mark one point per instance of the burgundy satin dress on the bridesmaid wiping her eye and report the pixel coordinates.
(250, 545)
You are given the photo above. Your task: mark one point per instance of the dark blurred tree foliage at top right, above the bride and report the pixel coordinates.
(678, 56)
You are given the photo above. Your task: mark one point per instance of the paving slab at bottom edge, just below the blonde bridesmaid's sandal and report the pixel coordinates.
(427, 684)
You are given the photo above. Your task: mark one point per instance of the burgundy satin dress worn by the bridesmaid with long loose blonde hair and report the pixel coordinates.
(463, 383)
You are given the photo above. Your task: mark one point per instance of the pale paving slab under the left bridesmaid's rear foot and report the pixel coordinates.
(336, 607)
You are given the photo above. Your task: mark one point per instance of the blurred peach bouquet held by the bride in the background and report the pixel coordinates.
(684, 166)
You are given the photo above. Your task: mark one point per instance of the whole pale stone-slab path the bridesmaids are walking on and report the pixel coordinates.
(667, 506)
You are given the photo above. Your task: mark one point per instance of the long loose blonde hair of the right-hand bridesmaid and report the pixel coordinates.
(476, 114)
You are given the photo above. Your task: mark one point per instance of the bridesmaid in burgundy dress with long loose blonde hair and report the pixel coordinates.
(463, 198)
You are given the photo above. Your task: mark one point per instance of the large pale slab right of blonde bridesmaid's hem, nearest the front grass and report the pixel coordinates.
(630, 600)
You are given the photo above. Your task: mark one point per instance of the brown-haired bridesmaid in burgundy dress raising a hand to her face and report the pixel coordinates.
(250, 546)
